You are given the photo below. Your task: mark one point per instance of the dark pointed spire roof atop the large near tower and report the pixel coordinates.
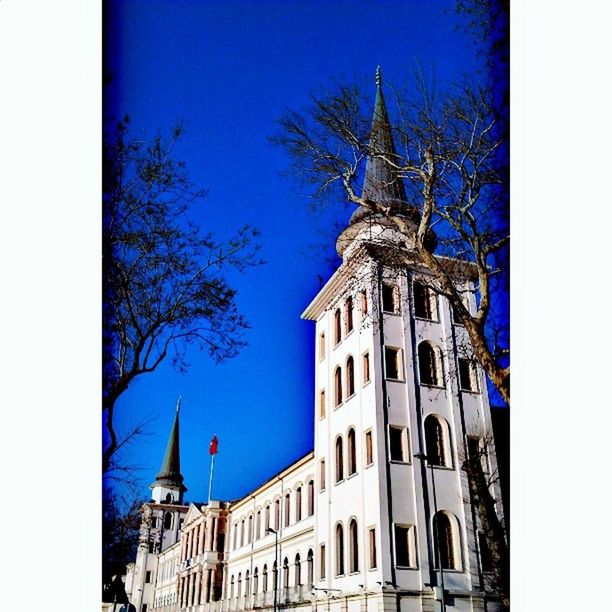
(381, 182)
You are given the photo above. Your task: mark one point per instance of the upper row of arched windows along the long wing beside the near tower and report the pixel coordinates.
(245, 529)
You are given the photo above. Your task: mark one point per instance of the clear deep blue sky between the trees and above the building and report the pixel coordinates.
(228, 70)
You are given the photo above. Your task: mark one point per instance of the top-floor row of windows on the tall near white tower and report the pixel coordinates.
(425, 307)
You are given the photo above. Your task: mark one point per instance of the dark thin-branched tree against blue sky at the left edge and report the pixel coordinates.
(164, 280)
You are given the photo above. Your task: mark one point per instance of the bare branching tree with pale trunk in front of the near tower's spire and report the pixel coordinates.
(452, 159)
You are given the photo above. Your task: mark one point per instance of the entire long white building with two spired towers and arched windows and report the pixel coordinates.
(399, 404)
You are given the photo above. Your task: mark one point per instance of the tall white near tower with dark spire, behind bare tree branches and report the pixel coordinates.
(400, 404)
